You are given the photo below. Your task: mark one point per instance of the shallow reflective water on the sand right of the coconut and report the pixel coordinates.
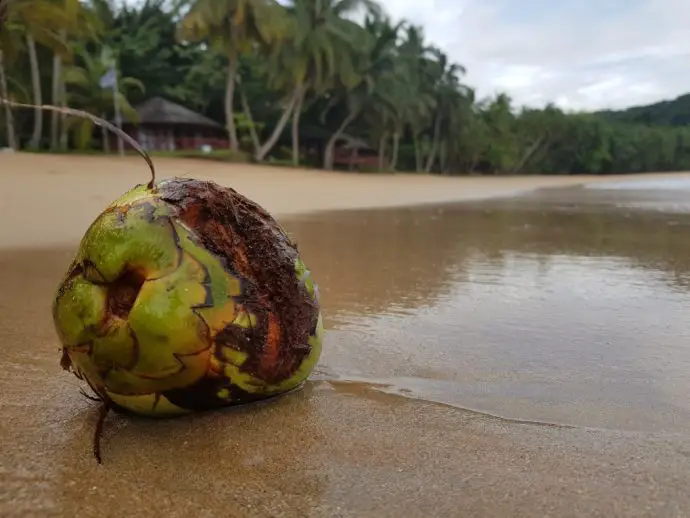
(563, 306)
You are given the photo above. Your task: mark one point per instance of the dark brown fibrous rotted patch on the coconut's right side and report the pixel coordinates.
(252, 246)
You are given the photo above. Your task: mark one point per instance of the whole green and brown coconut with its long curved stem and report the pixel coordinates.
(185, 296)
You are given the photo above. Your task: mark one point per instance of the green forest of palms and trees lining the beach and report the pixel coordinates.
(267, 70)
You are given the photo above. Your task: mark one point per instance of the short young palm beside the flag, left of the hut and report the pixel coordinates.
(86, 94)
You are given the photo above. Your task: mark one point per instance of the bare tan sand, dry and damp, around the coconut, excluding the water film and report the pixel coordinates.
(333, 449)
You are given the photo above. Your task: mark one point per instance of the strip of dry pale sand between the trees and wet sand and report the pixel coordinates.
(49, 200)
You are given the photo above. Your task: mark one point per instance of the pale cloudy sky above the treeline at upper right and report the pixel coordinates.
(579, 54)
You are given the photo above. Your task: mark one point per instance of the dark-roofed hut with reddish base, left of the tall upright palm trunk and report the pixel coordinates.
(167, 126)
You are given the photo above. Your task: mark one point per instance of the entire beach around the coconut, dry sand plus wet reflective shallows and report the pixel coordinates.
(494, 347)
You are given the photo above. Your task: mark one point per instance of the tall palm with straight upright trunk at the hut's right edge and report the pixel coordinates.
(235, 26)
